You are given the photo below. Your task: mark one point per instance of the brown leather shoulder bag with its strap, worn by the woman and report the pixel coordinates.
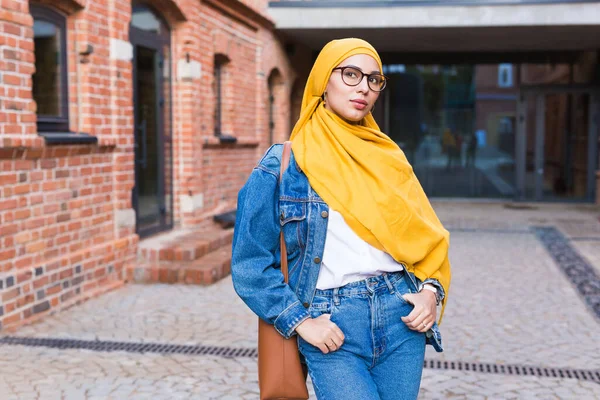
(281, 376)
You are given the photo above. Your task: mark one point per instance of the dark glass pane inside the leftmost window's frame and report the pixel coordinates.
(47, 77)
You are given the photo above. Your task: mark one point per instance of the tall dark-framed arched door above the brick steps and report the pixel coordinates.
(152, 195)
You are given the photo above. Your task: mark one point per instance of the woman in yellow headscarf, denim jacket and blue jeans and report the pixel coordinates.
(367, 256)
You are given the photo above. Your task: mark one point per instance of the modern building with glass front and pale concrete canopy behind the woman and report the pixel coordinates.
(488, 99)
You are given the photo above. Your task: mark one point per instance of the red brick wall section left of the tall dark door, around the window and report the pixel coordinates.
(60, 242)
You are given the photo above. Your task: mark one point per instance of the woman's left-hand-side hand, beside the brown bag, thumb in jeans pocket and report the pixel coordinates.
(321, 333)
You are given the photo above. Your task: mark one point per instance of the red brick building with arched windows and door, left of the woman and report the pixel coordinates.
(119, 121)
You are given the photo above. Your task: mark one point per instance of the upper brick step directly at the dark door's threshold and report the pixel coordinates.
(183, 245)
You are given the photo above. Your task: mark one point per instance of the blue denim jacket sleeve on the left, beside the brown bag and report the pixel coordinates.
(255, 267)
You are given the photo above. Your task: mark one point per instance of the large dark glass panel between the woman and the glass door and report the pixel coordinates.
(456, 125)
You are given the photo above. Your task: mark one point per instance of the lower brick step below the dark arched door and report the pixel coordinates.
(203, 271)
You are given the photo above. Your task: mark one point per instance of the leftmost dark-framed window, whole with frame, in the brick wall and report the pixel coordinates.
(50, 85)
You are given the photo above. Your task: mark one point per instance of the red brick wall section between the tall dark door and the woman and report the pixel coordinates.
(217, 171)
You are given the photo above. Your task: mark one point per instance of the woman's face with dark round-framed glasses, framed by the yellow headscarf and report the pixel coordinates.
(352, 103)
